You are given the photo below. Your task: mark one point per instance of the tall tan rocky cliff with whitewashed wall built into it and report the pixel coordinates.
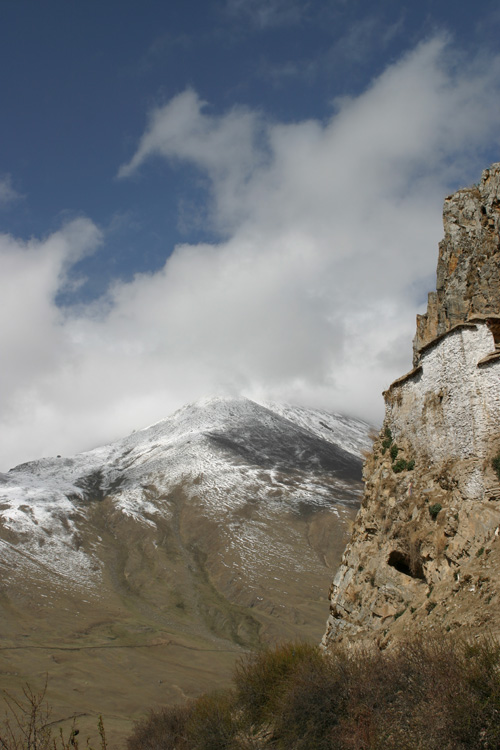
(425, 548)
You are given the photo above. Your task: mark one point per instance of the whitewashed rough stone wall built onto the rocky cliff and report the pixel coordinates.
(450, 408)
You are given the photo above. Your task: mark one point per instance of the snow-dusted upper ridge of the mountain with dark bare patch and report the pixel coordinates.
(190, 442)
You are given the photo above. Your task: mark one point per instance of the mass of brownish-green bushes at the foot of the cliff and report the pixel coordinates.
(434, 694)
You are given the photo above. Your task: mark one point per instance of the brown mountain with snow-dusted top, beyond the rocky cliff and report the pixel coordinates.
(214, 529)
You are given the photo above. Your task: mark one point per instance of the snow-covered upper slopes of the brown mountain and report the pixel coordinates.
(223, 453)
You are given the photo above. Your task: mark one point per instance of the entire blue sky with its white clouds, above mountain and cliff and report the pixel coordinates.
(224, 196)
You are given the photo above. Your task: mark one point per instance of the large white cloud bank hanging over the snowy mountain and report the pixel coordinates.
(330, 237)
